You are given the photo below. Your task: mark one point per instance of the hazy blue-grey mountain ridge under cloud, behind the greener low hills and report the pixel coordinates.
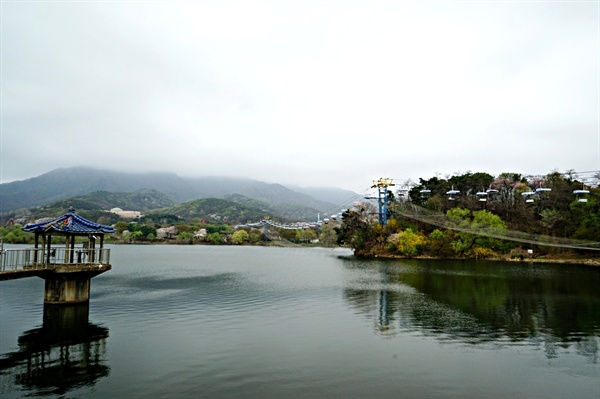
(66, 183)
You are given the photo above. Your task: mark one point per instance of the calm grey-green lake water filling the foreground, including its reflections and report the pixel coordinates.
(254, 322)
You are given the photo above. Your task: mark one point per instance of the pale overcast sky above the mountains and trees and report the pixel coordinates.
(313, 93)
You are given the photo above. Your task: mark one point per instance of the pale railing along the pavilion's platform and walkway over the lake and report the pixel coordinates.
(41, 258)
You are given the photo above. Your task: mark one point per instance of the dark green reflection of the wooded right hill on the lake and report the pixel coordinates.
(474, 303)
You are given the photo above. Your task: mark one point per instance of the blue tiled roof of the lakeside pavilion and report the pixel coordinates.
(69, 223)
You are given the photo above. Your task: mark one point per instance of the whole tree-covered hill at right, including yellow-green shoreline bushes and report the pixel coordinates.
(536, 205)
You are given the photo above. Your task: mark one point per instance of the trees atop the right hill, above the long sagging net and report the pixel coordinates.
(554, 212)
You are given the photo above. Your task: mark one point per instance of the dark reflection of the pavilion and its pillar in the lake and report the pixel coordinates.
(66, 353)
